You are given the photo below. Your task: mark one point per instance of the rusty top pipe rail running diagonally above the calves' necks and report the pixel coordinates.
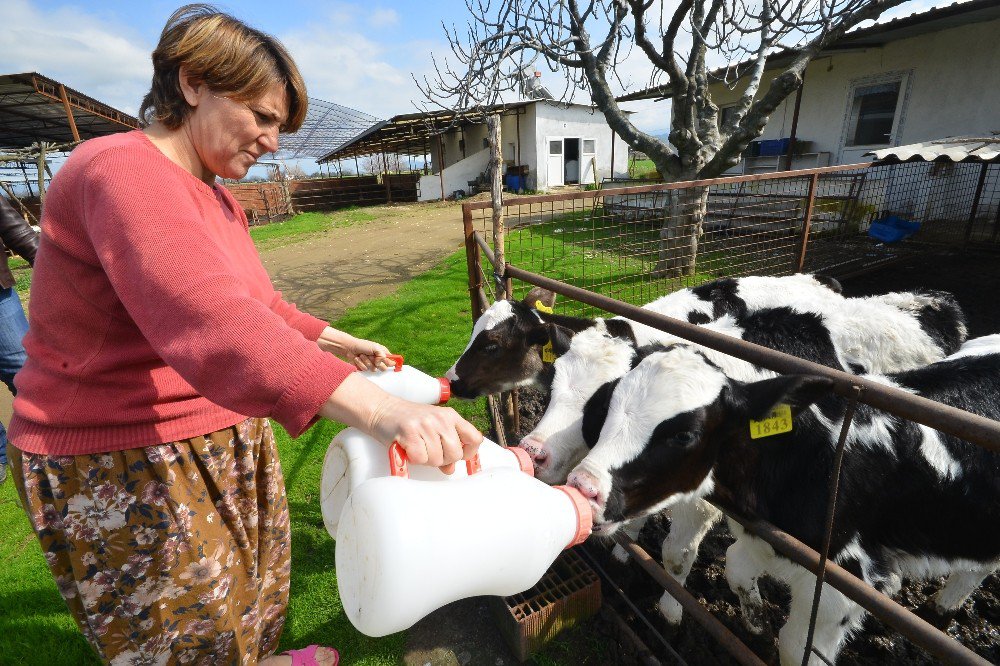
(965, 425)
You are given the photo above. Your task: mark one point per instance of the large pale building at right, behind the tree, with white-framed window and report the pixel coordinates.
(926, 76)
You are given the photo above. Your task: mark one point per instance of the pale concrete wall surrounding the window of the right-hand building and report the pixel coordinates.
(951, 87)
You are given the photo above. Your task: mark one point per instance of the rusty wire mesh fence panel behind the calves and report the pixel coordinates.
(636, 241)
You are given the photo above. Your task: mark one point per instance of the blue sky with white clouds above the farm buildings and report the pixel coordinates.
(359, 54)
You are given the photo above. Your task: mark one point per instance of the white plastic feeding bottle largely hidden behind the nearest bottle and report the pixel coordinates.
(353, 457)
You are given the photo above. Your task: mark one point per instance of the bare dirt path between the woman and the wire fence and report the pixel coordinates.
(328, 274)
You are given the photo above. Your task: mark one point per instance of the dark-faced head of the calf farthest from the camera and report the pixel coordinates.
(504, 351)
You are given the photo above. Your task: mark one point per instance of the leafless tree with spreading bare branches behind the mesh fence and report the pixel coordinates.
(587, 42)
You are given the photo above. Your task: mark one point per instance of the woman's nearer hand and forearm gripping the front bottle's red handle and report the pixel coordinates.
(429, 435)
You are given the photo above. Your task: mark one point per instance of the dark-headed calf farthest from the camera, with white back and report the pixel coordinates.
(505, 349)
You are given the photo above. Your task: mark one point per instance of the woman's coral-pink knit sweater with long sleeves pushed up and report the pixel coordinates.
(151, 316)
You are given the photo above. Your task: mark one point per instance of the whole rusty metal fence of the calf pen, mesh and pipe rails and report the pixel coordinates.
(609, 249)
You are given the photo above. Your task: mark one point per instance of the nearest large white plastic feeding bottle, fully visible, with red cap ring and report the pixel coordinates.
(407, 547)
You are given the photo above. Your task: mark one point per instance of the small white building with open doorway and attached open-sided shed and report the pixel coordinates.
(554, 144)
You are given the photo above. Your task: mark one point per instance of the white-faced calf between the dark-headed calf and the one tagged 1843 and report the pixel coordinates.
(880, 334)
